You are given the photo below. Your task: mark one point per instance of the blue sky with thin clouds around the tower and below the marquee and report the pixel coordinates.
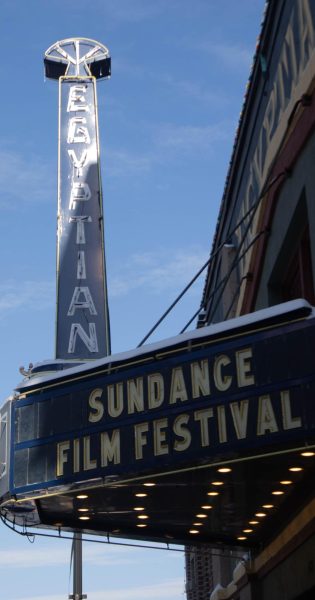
(167, 117)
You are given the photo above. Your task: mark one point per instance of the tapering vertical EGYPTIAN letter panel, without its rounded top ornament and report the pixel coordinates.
(81, 288)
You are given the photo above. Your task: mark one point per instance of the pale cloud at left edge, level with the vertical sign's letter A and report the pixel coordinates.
(36, 295)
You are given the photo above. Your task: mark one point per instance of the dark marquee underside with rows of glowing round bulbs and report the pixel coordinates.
(238, 503)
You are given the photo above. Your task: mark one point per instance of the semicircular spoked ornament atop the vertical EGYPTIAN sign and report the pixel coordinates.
(77, 57)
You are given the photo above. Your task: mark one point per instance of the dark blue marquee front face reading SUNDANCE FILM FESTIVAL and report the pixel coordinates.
(198, 400)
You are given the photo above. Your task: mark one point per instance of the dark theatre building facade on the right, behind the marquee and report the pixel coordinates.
(264, 254)
